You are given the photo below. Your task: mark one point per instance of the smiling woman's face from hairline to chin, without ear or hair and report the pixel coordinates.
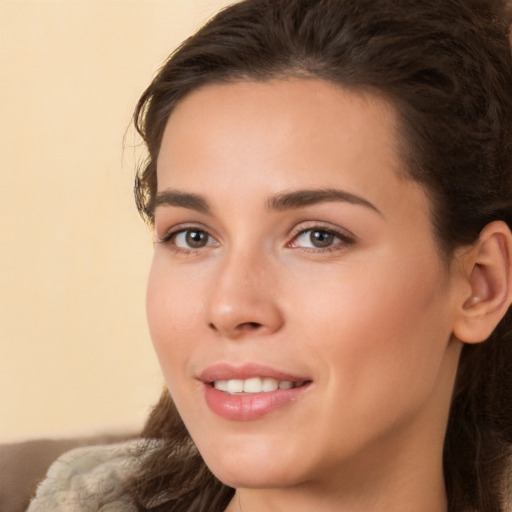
(293, 254)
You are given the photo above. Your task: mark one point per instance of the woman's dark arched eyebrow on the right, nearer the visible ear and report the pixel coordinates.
(301, 198)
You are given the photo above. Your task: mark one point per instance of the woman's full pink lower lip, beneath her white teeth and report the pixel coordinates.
(250, 406)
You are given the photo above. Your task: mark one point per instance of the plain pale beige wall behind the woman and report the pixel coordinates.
(75, 356)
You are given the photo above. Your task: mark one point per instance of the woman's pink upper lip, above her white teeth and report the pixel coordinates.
(226, 371)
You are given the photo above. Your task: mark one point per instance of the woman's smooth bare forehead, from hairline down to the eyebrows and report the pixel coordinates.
(279, 135)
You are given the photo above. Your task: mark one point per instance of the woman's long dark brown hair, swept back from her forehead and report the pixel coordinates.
(446, 66)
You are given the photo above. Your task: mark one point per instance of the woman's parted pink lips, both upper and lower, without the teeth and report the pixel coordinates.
(250, 406)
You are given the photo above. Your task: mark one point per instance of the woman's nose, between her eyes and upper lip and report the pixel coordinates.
(244, 298)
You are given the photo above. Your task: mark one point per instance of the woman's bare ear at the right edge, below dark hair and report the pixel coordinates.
(488, 271)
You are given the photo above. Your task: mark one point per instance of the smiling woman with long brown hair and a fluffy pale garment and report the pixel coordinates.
(330, 187)
